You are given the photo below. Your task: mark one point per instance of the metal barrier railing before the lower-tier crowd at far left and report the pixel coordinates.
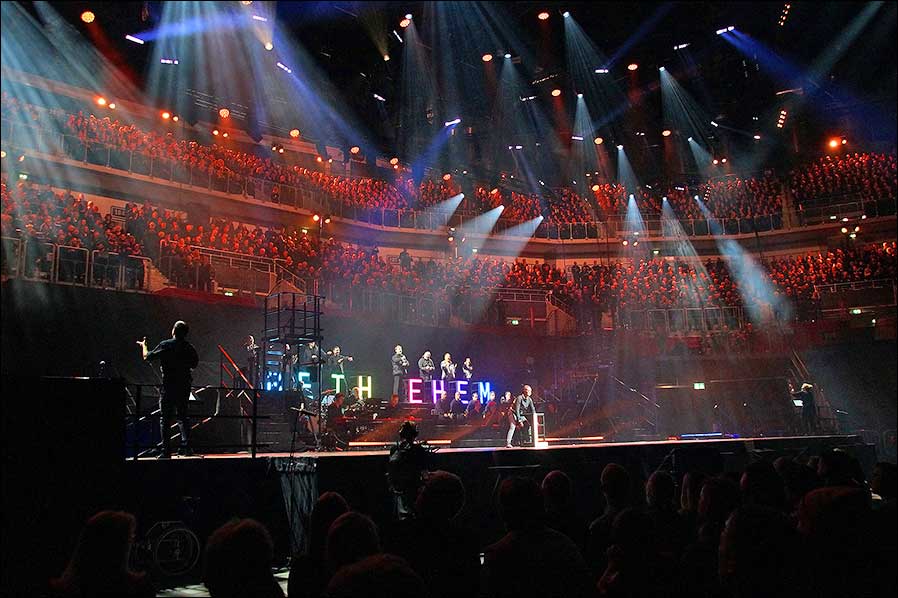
(32, 259)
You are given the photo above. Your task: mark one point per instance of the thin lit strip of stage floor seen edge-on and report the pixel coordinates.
(342, 454)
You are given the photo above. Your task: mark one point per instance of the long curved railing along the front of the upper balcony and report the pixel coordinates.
(307, 196)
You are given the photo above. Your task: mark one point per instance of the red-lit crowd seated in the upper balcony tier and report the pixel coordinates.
(869, 176)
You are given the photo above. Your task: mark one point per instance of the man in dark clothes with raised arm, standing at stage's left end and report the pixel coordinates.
(178, 357)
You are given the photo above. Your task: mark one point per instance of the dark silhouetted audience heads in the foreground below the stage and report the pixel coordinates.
(812, 526)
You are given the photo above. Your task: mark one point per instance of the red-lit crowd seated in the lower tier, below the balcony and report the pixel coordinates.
(649, 283)
